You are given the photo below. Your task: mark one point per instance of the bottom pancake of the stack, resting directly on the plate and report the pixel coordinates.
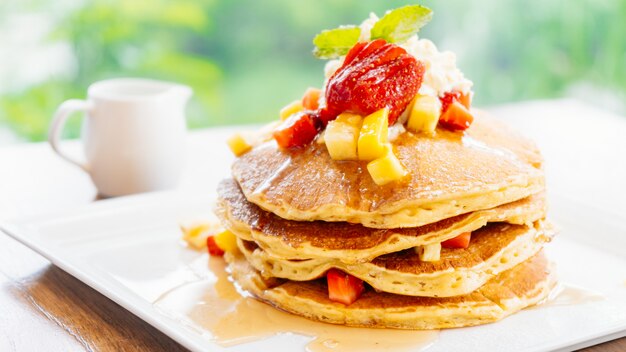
(515, 289)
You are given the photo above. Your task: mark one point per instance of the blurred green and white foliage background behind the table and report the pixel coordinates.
(246, 59)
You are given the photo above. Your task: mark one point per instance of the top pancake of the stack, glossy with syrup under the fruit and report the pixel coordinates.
(451, 173)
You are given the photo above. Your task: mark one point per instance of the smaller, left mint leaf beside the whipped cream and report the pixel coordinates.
(333, 43)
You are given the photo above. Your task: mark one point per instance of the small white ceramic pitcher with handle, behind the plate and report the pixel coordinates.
(133, 134)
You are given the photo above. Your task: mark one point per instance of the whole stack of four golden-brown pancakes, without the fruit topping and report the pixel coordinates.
(298, 213)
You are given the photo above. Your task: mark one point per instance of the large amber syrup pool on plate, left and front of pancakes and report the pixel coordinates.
(215, 308)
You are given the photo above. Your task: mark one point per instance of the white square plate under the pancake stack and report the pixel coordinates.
(129, 249)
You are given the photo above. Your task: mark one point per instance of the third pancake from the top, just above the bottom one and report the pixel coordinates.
(493, 249)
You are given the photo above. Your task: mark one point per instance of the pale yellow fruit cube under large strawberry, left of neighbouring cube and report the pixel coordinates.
(342, 135)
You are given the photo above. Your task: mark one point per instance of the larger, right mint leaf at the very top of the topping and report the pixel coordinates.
(400, 24)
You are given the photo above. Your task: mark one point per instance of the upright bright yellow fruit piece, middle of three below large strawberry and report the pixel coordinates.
(374, 135)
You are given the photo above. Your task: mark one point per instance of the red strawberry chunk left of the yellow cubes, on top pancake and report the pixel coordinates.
(297, 130)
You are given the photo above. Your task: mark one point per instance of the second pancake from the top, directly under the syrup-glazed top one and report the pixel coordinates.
(353, 243)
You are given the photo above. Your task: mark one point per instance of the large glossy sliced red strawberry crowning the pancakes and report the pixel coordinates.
(374, 75)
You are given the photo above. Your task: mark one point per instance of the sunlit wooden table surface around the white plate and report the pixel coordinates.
(44, 309)
